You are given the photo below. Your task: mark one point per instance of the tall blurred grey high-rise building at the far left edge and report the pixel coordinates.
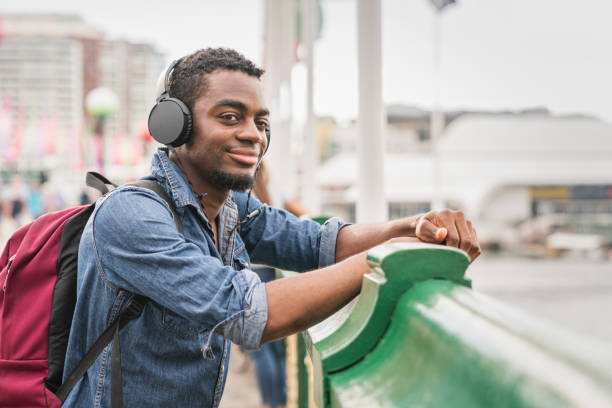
(44, 76)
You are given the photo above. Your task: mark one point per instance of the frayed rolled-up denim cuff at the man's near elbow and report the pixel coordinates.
(247, 328)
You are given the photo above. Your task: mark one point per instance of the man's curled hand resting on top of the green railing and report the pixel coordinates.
(450, 228)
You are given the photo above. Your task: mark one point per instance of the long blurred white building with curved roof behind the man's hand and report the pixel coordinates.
(529, 180)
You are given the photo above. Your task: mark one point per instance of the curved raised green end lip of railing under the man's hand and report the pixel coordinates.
(395, 268)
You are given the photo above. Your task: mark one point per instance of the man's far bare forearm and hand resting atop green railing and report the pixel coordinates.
(439, 227)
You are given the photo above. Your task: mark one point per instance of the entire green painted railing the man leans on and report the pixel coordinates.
(418, 336)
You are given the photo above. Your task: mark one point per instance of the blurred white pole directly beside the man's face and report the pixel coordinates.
(279, 56)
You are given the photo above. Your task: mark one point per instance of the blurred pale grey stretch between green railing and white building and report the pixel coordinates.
(576, 294)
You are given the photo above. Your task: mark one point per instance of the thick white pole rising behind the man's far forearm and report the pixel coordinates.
(371, 204)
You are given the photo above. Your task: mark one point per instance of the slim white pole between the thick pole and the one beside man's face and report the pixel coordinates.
(311, 194)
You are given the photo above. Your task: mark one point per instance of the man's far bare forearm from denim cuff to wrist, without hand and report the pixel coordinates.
(357, 238)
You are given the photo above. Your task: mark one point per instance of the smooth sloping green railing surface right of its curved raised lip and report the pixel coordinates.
(447, 346)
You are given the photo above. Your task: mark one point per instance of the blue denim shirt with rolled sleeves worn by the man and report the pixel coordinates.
(176, 353)
